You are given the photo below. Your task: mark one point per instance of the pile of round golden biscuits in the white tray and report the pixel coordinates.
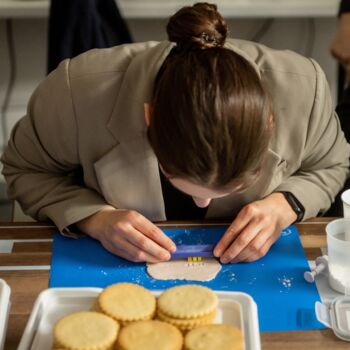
(186, 309)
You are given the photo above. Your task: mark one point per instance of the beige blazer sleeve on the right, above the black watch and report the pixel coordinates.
(325, 160)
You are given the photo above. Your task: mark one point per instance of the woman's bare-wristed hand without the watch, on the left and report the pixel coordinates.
(128, 234)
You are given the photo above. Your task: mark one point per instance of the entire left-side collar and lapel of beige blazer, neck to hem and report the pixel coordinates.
(128, 174)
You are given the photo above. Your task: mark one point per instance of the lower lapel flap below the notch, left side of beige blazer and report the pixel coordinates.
(128, 176)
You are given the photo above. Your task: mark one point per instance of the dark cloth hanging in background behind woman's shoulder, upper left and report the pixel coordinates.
(80, 25)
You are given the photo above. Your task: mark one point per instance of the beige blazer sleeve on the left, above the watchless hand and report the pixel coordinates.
(41, 161)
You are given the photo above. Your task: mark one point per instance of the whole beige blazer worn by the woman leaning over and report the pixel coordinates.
(83, 141)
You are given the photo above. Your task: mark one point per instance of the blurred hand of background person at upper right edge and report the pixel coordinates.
(340, 47)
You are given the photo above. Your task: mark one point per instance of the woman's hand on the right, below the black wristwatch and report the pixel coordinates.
(257, 226)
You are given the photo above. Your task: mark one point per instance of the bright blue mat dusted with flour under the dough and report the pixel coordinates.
(285, 301)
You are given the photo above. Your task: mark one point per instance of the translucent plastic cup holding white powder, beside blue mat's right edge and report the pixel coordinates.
(338, 247)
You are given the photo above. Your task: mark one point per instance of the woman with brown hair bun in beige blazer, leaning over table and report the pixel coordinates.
(197, 126)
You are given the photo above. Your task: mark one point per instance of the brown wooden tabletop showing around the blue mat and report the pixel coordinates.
(27, 284)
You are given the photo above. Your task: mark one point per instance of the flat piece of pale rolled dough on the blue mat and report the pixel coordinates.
(206, 270)
